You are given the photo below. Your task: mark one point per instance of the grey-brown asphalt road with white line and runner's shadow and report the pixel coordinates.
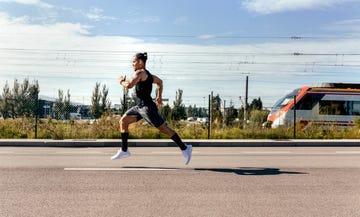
(233, 181)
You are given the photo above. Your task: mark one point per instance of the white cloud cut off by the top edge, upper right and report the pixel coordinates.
(278, 6)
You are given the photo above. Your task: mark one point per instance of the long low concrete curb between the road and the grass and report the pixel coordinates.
(169, 143)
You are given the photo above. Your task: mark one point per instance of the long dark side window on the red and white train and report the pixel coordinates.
(328, 107)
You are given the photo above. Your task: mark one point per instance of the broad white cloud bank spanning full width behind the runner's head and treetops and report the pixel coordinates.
(67, 56)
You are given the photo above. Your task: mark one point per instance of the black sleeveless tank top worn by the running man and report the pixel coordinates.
(143, 89)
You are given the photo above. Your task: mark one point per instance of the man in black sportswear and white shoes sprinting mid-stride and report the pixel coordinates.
(146, 108)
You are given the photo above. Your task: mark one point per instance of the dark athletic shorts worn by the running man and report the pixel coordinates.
(149, 112)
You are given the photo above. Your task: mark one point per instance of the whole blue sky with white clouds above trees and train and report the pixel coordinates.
(198, 46)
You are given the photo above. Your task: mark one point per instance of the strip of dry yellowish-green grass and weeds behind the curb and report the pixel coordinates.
(108, 128)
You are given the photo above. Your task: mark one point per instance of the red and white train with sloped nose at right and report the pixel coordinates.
(324, 104)
